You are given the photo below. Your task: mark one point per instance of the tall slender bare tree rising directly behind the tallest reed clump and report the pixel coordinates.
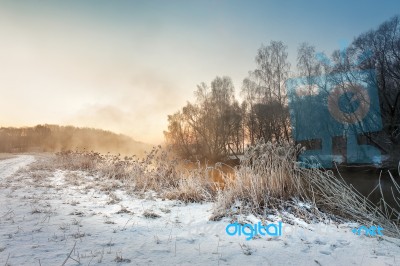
(265, 94)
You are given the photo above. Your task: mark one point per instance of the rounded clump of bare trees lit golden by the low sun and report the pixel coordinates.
(211, 128)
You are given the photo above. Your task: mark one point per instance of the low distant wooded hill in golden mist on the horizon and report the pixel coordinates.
(54, 138)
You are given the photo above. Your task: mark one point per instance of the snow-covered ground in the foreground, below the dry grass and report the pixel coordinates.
(48, 218)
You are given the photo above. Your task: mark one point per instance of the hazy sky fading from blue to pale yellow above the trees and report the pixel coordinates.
(125, 65)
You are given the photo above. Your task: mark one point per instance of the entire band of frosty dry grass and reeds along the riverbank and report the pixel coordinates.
(267, 180)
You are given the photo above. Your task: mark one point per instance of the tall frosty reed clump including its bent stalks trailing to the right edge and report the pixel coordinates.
(268, 177)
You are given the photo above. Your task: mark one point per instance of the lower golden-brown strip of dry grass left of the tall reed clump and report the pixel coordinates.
(158, 172)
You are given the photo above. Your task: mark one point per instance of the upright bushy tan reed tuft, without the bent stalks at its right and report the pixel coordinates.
(267, 171)
